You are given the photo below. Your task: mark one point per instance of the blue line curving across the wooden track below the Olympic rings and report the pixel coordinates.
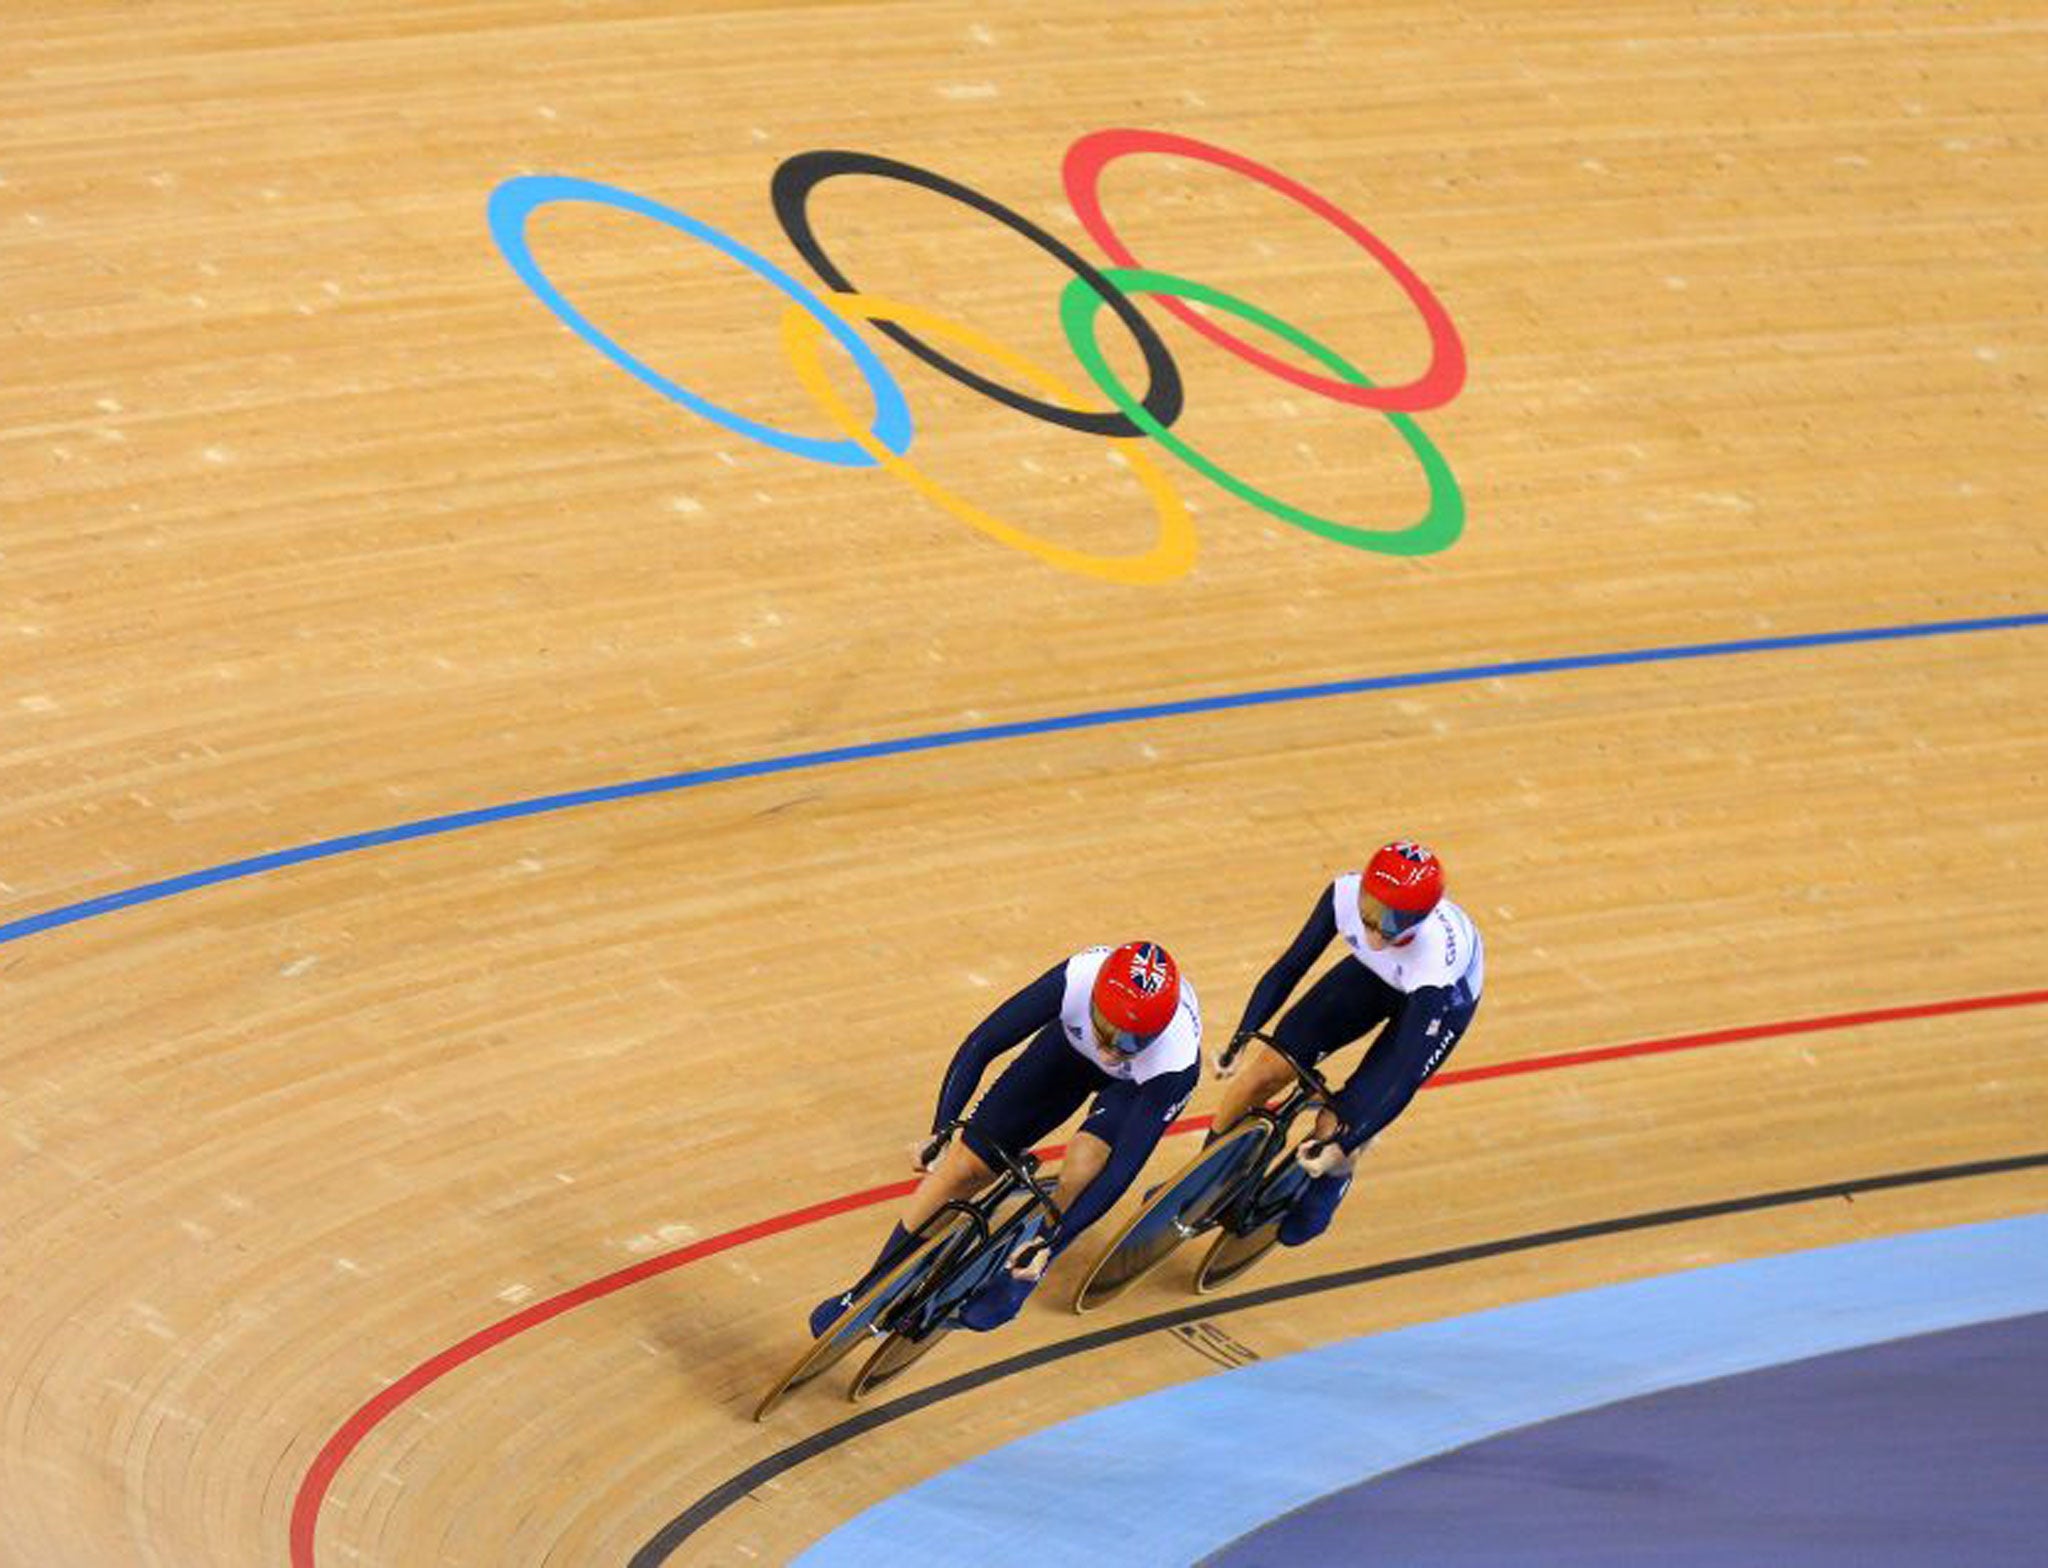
(800, 760)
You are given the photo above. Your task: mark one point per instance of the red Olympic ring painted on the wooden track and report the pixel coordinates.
(1082, 173)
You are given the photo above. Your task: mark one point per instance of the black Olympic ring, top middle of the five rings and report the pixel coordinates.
(792, 191)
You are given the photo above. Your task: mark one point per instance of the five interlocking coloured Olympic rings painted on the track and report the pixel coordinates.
(886, 439)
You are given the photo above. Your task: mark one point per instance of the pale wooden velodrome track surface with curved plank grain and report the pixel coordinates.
(316, 523)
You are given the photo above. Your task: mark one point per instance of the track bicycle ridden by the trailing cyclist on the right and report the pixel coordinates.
(1240, 1186)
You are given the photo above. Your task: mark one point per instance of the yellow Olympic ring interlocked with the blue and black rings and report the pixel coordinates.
(1170, 556)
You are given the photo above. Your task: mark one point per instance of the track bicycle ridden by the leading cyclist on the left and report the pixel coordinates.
(914, 1301)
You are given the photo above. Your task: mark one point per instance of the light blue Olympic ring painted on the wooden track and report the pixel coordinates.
(519, 198)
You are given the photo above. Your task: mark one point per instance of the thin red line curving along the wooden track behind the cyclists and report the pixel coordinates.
(351, 1434)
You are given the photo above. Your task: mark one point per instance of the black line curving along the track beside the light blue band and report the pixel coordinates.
(665, 1542)
